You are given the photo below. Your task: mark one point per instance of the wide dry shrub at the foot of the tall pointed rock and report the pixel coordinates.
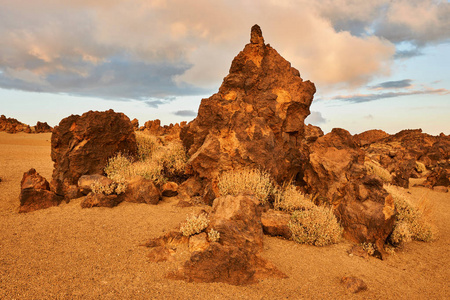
(254, 181)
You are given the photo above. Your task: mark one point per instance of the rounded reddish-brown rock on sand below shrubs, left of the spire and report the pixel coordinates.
(141, 190)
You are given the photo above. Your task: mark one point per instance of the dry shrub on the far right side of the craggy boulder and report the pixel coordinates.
(411, 220)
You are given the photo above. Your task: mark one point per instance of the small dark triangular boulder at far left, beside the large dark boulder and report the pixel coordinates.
(35, 193)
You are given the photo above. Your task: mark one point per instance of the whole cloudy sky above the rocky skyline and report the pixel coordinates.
(380, 64)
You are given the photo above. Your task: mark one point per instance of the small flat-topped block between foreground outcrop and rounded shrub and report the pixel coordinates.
(275, 223)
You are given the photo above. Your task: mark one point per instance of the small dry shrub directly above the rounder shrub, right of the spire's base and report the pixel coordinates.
(290, 199)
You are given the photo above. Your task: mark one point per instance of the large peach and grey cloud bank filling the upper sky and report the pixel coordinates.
(141, 50)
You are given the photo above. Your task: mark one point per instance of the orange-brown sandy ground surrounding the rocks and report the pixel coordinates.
(67, 252)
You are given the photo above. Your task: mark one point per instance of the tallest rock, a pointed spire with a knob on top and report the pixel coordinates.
(259, 110)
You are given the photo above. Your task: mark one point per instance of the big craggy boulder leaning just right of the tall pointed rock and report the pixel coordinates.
(336, 175)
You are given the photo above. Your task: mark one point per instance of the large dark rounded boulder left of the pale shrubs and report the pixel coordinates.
(81, 145)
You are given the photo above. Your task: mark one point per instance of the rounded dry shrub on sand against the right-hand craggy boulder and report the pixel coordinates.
(316, 226)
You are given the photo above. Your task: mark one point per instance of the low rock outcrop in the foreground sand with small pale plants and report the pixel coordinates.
(234, 259)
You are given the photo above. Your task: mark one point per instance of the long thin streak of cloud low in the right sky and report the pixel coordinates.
(360, 98)
